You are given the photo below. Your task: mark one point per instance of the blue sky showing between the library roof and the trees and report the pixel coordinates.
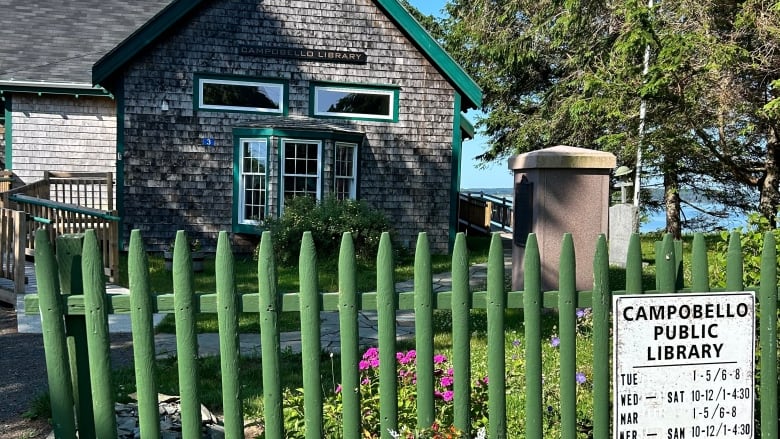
(497, 174)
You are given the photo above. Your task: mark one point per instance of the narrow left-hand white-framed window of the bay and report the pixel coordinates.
(253, 177)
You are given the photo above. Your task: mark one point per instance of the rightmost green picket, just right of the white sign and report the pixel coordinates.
(768, 337)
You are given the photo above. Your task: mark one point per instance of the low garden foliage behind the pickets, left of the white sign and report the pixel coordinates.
(444, 397)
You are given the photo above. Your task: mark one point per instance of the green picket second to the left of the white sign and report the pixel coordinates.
(567, 299)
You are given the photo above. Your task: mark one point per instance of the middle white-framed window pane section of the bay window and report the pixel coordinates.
(301, 168)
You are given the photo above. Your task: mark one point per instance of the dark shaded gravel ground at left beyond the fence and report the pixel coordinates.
(23, 375)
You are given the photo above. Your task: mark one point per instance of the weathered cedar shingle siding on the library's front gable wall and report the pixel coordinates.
(172, 182)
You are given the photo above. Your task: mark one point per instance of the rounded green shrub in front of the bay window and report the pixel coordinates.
(327, 220)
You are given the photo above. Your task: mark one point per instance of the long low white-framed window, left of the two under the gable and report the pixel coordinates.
(263, 96)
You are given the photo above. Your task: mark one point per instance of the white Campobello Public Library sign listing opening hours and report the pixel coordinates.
(683, 366)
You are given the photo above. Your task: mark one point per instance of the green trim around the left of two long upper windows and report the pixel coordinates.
(201, 79)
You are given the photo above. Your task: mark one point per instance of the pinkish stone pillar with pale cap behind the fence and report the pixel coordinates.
(560, 190)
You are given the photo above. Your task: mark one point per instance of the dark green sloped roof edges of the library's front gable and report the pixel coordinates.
(113, 61)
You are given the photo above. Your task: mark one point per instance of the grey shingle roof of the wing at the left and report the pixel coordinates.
(58, 41)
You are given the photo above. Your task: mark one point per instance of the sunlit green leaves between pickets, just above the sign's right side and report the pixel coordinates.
(752, 242)
